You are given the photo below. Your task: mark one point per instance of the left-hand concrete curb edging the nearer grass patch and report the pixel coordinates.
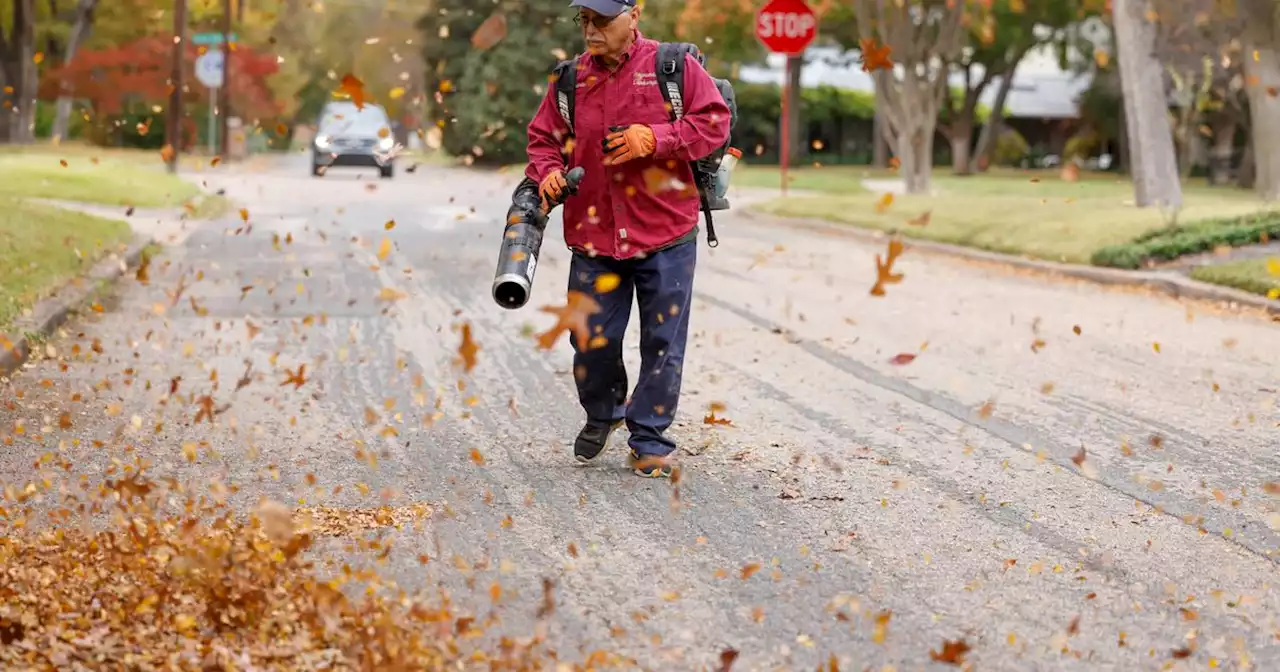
(49, 314)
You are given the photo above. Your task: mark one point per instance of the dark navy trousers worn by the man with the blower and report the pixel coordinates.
(664, 286)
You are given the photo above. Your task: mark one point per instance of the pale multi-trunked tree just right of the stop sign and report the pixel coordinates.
(925, 36)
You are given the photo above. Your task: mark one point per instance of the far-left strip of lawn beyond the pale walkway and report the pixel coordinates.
(92, 176)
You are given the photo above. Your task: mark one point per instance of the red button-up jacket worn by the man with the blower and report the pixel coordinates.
(639, 207)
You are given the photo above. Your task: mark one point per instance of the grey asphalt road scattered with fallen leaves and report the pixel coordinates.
(943, 493)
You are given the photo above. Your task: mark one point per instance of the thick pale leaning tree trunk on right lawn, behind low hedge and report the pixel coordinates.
(1155, 164)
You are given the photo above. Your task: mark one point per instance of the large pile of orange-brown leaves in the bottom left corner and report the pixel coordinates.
(196, 588)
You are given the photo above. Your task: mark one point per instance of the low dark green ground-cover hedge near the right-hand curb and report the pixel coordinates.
(1169, 244)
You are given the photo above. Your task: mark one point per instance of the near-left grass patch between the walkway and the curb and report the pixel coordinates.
(39, 259)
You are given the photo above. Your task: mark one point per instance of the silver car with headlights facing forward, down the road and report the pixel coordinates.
(348, 136)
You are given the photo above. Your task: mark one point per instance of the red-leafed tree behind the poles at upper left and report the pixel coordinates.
(135, 77)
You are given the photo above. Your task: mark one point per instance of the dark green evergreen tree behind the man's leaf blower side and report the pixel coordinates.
(486, 97)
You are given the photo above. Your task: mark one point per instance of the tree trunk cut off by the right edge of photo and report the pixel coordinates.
(1263, 84)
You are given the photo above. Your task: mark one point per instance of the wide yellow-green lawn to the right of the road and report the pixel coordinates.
(1021, 213)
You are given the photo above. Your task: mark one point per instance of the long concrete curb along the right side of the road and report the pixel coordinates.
(1168, 284)
